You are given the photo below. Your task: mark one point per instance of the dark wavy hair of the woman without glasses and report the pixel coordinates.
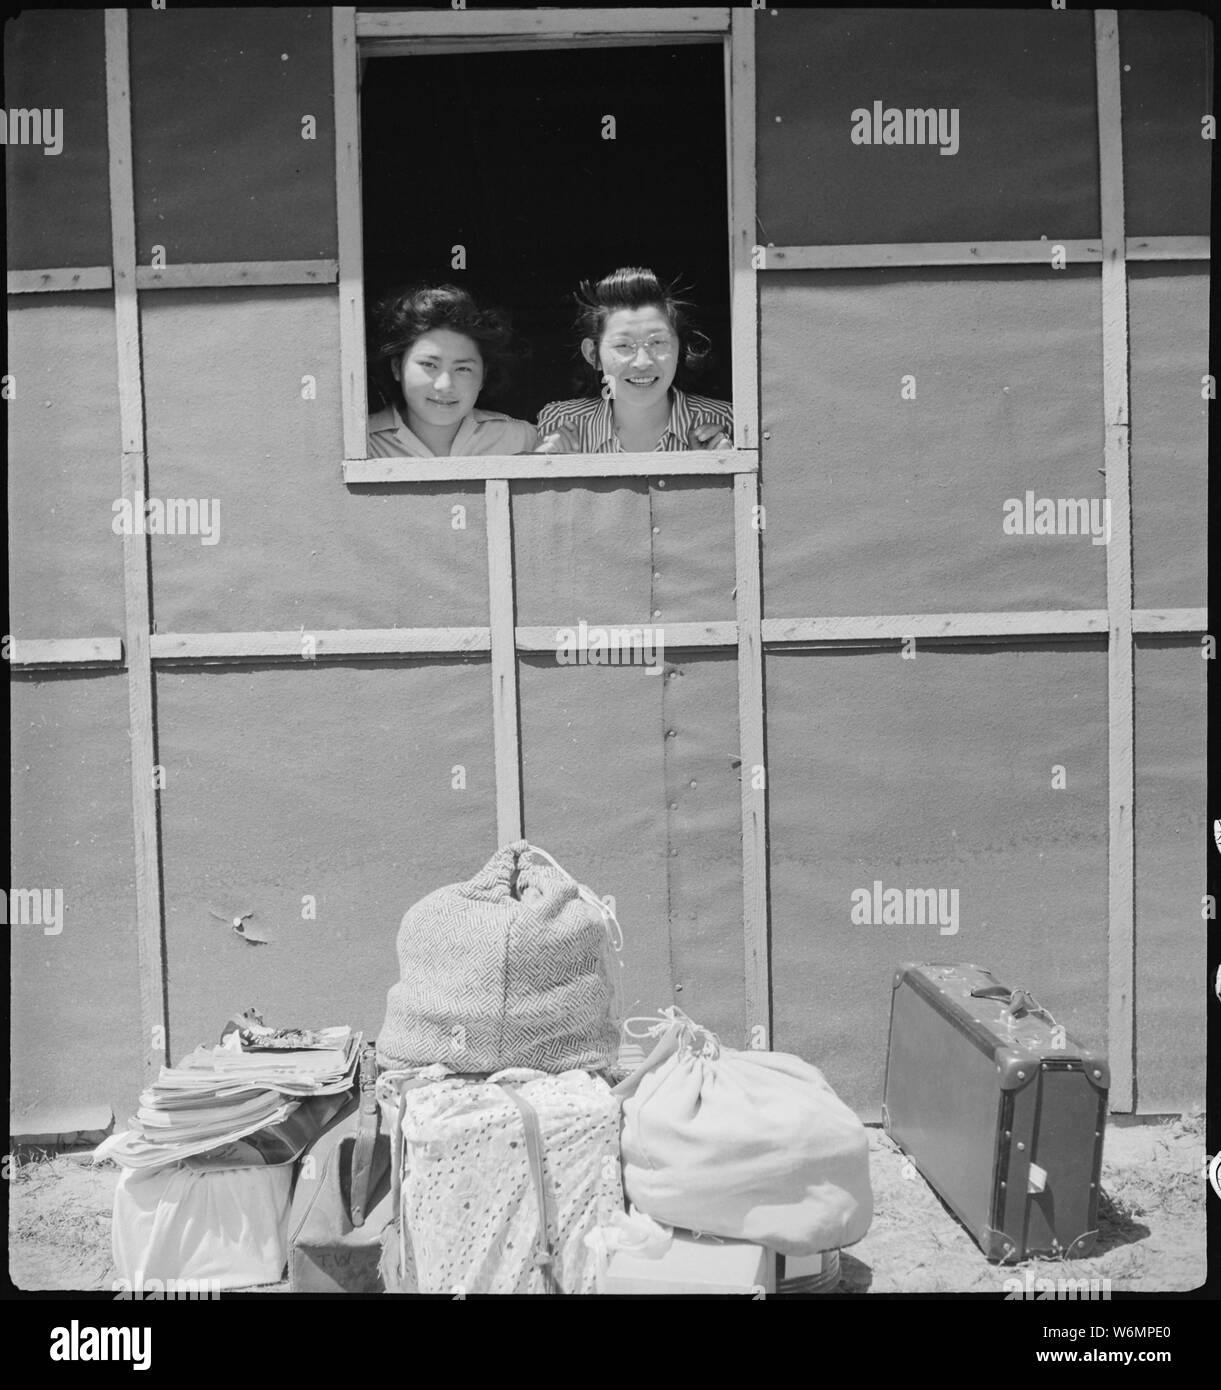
(404, 316)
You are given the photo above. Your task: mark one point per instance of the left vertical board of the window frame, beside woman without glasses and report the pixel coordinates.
(348, 223)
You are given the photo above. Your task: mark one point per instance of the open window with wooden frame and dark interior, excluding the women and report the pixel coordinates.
(519, 152)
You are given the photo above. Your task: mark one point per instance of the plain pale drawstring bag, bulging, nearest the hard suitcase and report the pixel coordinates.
(753, 1146)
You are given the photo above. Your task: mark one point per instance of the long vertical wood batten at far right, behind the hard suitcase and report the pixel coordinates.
(1122, 872)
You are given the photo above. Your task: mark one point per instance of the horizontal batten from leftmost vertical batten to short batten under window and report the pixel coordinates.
(387, 641)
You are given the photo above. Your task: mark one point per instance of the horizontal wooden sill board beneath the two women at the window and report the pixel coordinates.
(482, 468)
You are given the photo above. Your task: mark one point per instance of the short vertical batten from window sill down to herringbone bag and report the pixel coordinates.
(506, 736)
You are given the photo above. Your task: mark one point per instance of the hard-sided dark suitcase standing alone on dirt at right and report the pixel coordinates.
(998, 1109)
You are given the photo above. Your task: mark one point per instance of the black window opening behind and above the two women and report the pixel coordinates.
(503, 154)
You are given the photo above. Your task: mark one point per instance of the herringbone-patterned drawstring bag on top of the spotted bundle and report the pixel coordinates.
(512, 968)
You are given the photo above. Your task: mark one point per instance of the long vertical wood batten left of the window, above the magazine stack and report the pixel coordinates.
(151, 949)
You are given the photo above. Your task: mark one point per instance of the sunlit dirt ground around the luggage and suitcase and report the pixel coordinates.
(1152, 1229)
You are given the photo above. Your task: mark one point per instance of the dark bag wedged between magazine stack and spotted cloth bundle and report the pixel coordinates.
(343, 1203)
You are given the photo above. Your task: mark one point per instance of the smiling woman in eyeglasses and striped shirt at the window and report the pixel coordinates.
(635, 336)
